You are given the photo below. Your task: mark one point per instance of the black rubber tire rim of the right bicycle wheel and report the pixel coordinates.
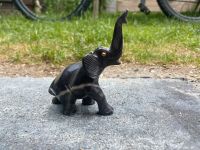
(171, 12)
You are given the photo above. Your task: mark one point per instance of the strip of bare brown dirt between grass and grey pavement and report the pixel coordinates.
(190, 72)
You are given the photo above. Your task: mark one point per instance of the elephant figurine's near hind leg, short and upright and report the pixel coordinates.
(69, 106)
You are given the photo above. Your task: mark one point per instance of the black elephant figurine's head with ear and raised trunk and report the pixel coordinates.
(95, 62)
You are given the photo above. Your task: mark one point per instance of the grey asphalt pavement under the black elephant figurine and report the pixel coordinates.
(149, 113)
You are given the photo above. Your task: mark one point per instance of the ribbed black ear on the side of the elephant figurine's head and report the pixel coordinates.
(92, 66)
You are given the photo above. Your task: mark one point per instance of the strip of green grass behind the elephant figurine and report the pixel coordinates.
(152, 39)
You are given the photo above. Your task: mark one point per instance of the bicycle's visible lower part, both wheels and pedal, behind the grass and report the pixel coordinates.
(186, 10)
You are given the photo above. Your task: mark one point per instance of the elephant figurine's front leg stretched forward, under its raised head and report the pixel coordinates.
(97, 94)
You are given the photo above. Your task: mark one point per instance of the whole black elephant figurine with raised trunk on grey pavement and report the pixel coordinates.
(81, 80)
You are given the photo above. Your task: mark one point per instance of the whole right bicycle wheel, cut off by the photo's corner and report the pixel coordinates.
(186, 10)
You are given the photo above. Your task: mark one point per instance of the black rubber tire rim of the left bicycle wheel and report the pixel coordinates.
(77, 11)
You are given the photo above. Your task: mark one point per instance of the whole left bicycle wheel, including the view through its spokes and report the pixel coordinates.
(52, 9)
